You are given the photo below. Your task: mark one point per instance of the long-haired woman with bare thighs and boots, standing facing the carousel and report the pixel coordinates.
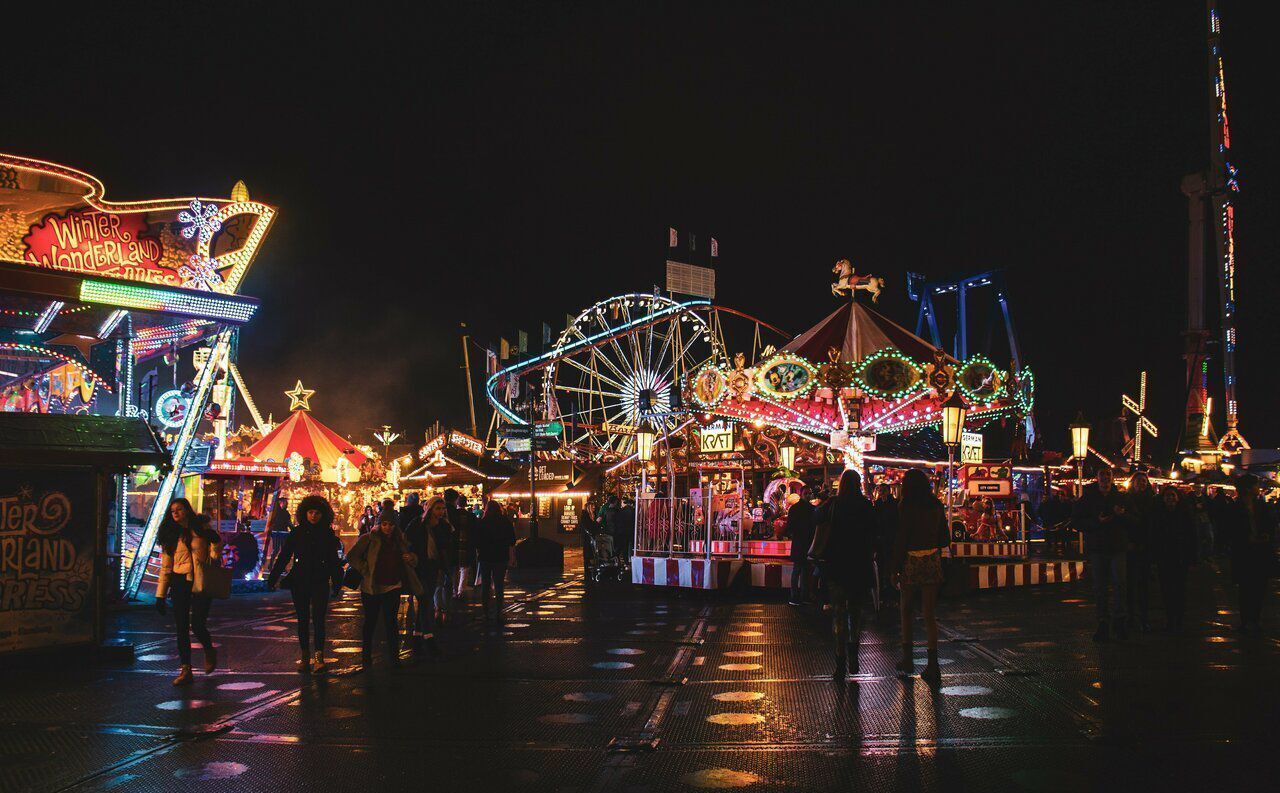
(922, 534)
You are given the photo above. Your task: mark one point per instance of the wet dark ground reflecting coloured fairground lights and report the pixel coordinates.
(642, 691)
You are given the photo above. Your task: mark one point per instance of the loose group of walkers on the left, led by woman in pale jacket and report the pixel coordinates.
(424, 558)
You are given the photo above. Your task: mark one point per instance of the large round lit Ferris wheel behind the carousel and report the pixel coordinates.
(621, 364)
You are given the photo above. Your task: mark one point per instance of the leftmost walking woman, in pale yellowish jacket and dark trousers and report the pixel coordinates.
(188, 546)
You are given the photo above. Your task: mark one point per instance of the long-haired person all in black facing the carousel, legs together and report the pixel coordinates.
(847, 557)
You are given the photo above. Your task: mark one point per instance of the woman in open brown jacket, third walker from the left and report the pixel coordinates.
(386, 567)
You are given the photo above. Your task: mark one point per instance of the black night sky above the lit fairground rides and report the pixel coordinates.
(506, 164)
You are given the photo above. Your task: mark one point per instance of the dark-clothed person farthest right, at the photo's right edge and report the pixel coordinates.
(1251, 534)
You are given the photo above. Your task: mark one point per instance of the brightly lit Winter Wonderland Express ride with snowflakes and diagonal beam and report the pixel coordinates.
(99, 304)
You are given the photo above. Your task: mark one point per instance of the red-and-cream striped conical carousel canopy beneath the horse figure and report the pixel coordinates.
(858, 332)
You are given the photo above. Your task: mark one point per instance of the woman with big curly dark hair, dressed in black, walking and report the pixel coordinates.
(314, 549)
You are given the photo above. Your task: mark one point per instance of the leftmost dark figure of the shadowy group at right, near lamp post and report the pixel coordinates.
(1103, 516)
